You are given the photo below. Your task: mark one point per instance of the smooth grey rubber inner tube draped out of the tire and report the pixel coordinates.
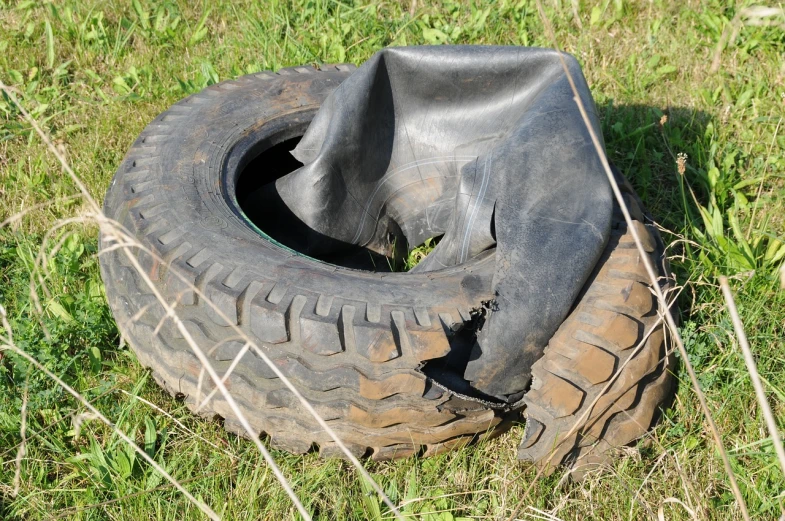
(483, 145)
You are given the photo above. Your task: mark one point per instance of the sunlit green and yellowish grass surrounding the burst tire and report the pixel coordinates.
(94, 73)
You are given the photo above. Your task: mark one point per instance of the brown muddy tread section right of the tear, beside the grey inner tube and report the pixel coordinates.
(614, 313)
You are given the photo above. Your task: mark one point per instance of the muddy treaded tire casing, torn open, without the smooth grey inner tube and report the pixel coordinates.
(375, 353)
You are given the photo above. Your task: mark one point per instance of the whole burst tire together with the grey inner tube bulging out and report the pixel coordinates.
(295, 253)
